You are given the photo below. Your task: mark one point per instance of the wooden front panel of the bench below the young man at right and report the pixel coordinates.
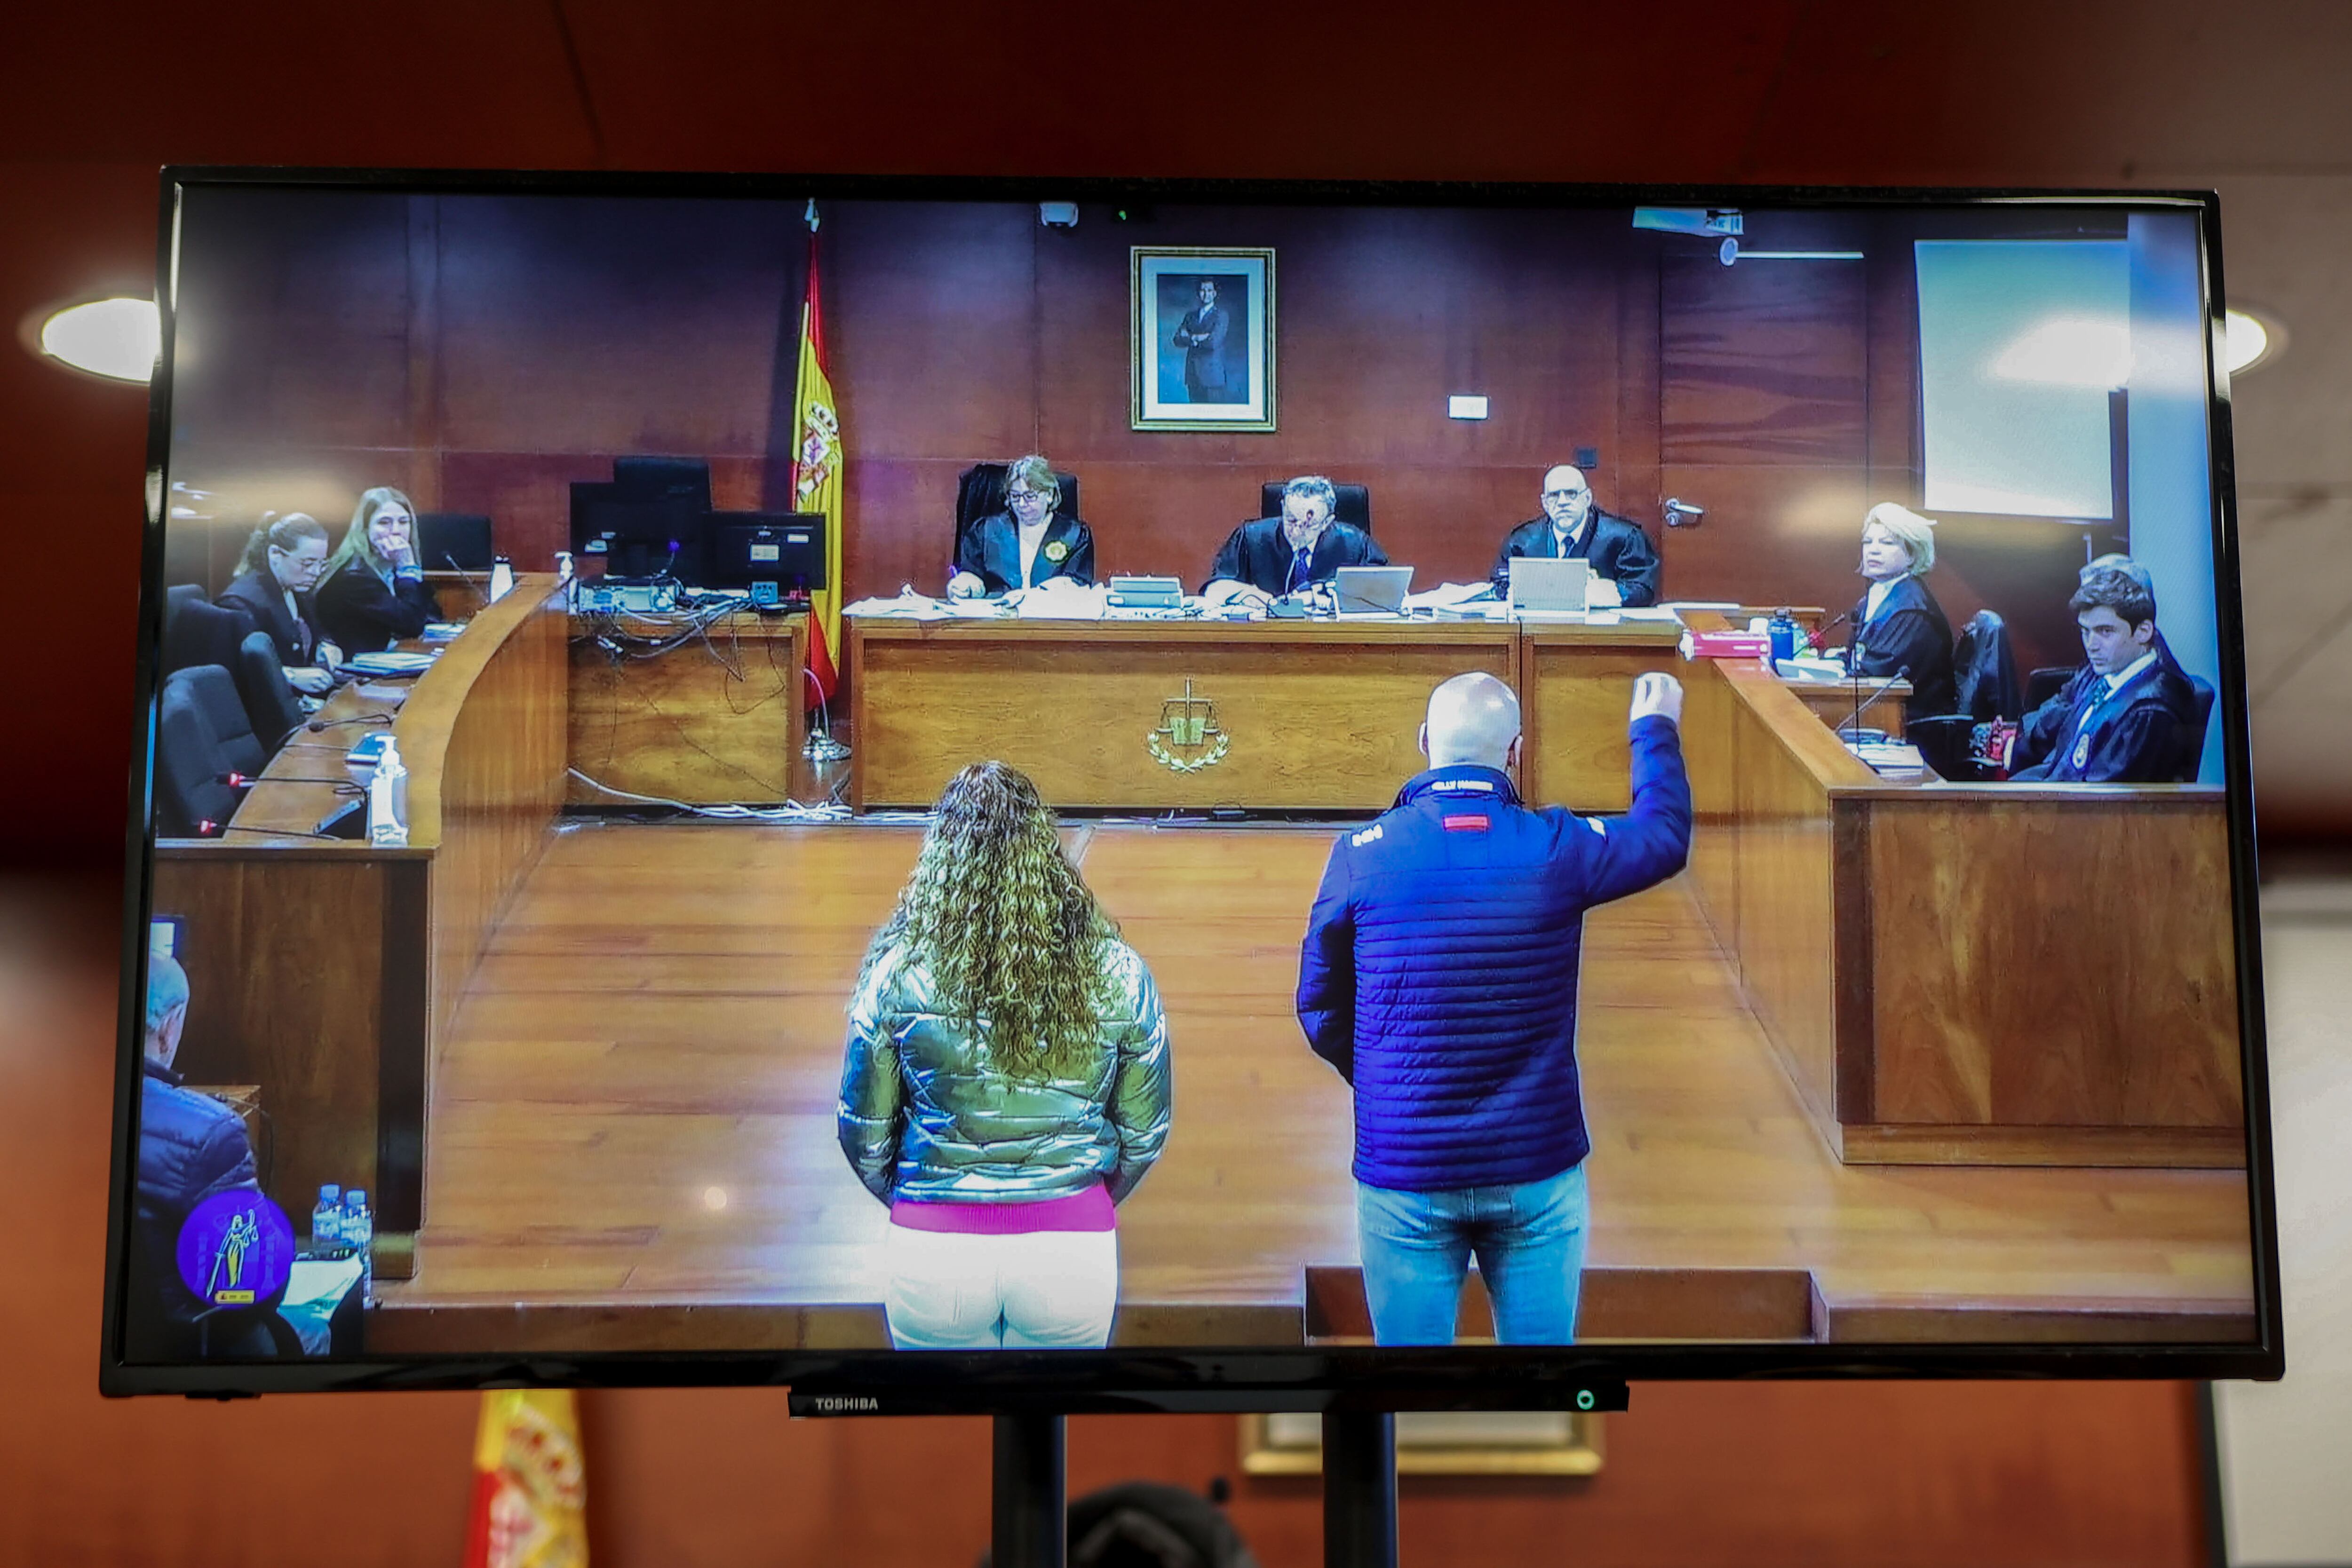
(2007, 989)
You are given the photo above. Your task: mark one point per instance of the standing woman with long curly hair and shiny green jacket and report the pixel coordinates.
(1005, 1085)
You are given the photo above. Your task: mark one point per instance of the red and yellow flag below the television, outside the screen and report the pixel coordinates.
(530, 1487)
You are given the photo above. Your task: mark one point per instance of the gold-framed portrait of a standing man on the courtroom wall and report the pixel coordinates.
(1201, 340)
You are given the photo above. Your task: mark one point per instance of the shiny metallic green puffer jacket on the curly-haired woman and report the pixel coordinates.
(928, 1118)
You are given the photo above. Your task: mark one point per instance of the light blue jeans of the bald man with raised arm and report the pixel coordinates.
(1530, 1245)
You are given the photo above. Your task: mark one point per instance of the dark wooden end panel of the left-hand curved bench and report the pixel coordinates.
(286, 974)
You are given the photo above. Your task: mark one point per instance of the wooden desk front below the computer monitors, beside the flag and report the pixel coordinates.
(716, 721)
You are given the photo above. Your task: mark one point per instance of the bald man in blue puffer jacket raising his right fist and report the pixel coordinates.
(1441, 979)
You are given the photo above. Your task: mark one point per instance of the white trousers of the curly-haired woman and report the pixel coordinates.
(1045, 1289)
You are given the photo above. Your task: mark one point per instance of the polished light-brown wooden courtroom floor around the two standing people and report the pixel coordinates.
(634, 1132)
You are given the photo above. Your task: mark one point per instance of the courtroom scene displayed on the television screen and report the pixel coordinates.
(937, 775)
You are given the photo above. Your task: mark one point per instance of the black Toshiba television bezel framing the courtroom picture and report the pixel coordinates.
(1210, 1379)
